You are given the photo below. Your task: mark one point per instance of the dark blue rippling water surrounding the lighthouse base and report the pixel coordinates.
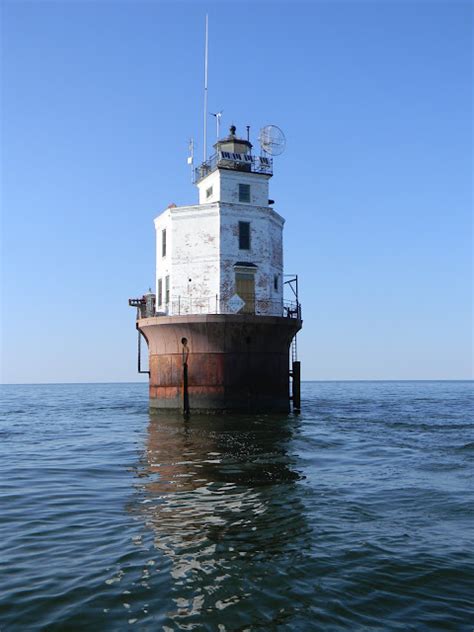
(355, 515)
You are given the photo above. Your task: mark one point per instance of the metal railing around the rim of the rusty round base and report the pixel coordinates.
(213, 305)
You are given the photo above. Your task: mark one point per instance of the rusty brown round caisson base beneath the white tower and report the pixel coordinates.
(234, 363)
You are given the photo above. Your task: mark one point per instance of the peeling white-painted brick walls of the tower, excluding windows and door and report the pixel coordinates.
(203, 247)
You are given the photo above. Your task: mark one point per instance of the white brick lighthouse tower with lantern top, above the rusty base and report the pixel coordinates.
(225, 254)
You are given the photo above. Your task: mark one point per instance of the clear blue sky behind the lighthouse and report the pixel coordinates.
(99, 100)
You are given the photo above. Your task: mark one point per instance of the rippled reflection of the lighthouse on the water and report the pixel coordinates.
(221, 497)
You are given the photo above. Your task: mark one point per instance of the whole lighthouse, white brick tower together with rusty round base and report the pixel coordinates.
(218, 326)
